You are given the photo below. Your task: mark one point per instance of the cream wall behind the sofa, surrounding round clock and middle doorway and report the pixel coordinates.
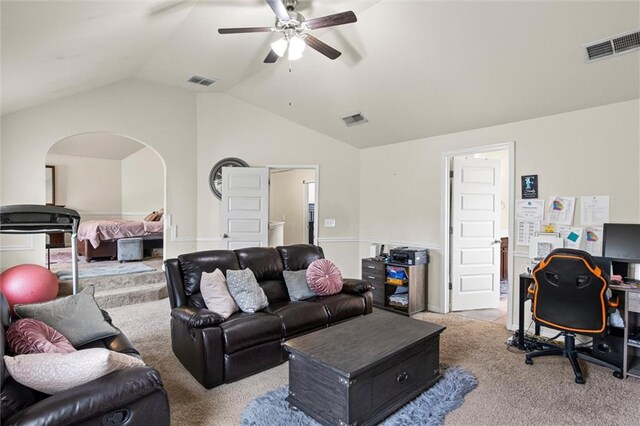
(228, 127)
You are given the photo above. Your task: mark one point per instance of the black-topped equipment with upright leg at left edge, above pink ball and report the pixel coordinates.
(42, 219)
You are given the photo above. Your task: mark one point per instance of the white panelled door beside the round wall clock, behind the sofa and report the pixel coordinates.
(244, 210)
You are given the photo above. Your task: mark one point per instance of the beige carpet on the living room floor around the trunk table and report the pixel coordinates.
(509, 392)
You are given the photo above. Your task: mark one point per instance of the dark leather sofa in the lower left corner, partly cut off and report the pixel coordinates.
(134, 396)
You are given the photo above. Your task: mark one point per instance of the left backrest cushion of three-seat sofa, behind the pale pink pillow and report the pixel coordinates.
(194, 264)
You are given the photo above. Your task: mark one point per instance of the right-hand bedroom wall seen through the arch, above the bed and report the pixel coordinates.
(142, 184)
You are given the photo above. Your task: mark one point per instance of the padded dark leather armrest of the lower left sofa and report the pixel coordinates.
(108, 395)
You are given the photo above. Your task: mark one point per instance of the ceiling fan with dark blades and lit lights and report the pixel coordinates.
(294, 27)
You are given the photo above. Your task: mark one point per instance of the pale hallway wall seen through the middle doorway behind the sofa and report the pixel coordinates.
(286, 202)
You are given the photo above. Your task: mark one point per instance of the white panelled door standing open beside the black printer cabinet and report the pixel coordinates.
(475, 246)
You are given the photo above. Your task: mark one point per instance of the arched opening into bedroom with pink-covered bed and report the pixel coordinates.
(109, 177)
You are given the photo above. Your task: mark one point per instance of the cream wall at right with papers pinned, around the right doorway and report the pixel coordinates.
(589, 152)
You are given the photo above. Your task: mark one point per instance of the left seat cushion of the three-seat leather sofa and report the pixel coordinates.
(243, 330)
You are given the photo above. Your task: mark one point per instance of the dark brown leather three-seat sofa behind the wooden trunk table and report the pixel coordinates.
(216, 351)
